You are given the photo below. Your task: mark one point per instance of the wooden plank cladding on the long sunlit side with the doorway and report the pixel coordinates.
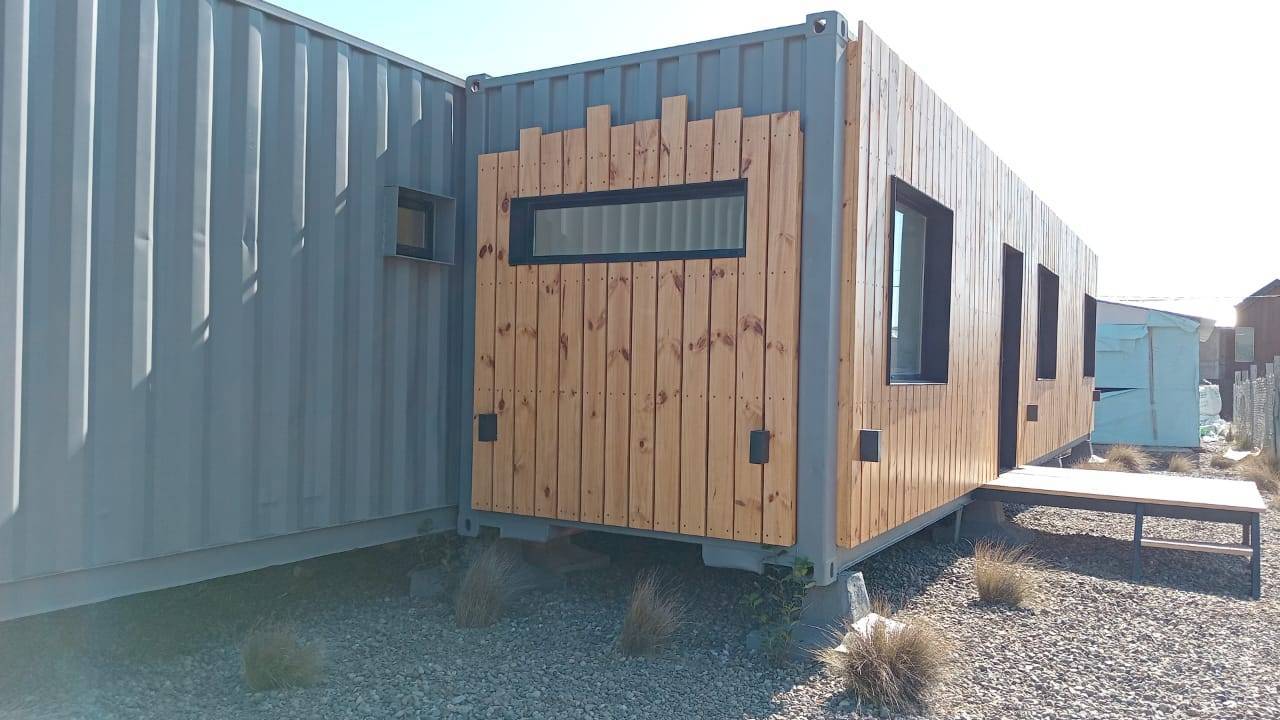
(940, 441)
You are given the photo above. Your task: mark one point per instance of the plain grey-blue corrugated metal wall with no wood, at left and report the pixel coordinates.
(213, 347)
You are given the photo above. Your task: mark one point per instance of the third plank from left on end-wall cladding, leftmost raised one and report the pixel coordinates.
(527, 343)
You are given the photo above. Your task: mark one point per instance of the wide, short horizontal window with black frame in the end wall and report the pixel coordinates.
(653, 224)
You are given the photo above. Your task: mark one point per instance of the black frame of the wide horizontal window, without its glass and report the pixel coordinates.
(523, 209)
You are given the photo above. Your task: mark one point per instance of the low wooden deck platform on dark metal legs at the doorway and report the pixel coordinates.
(1214, 500)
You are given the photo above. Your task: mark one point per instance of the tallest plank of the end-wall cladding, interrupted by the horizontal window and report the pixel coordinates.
(670, 334)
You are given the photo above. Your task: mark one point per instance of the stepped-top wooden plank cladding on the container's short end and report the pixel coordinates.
(627, 393)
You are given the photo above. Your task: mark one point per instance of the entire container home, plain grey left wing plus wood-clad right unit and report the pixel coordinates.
(271, 293)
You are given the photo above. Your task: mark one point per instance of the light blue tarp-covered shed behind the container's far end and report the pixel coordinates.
(1149, 376)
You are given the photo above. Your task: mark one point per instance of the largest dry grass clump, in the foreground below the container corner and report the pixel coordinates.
(894, 669)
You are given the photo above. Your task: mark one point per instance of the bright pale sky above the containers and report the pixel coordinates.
(1153, 129)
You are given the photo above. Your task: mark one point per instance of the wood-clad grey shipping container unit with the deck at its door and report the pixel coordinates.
(766, 294)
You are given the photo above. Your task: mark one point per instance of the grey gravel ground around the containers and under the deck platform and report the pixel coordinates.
(1187, 644)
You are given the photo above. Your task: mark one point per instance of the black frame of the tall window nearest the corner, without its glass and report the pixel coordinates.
(936, 318)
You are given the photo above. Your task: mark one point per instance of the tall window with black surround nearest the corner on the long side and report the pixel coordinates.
(920, 317)
